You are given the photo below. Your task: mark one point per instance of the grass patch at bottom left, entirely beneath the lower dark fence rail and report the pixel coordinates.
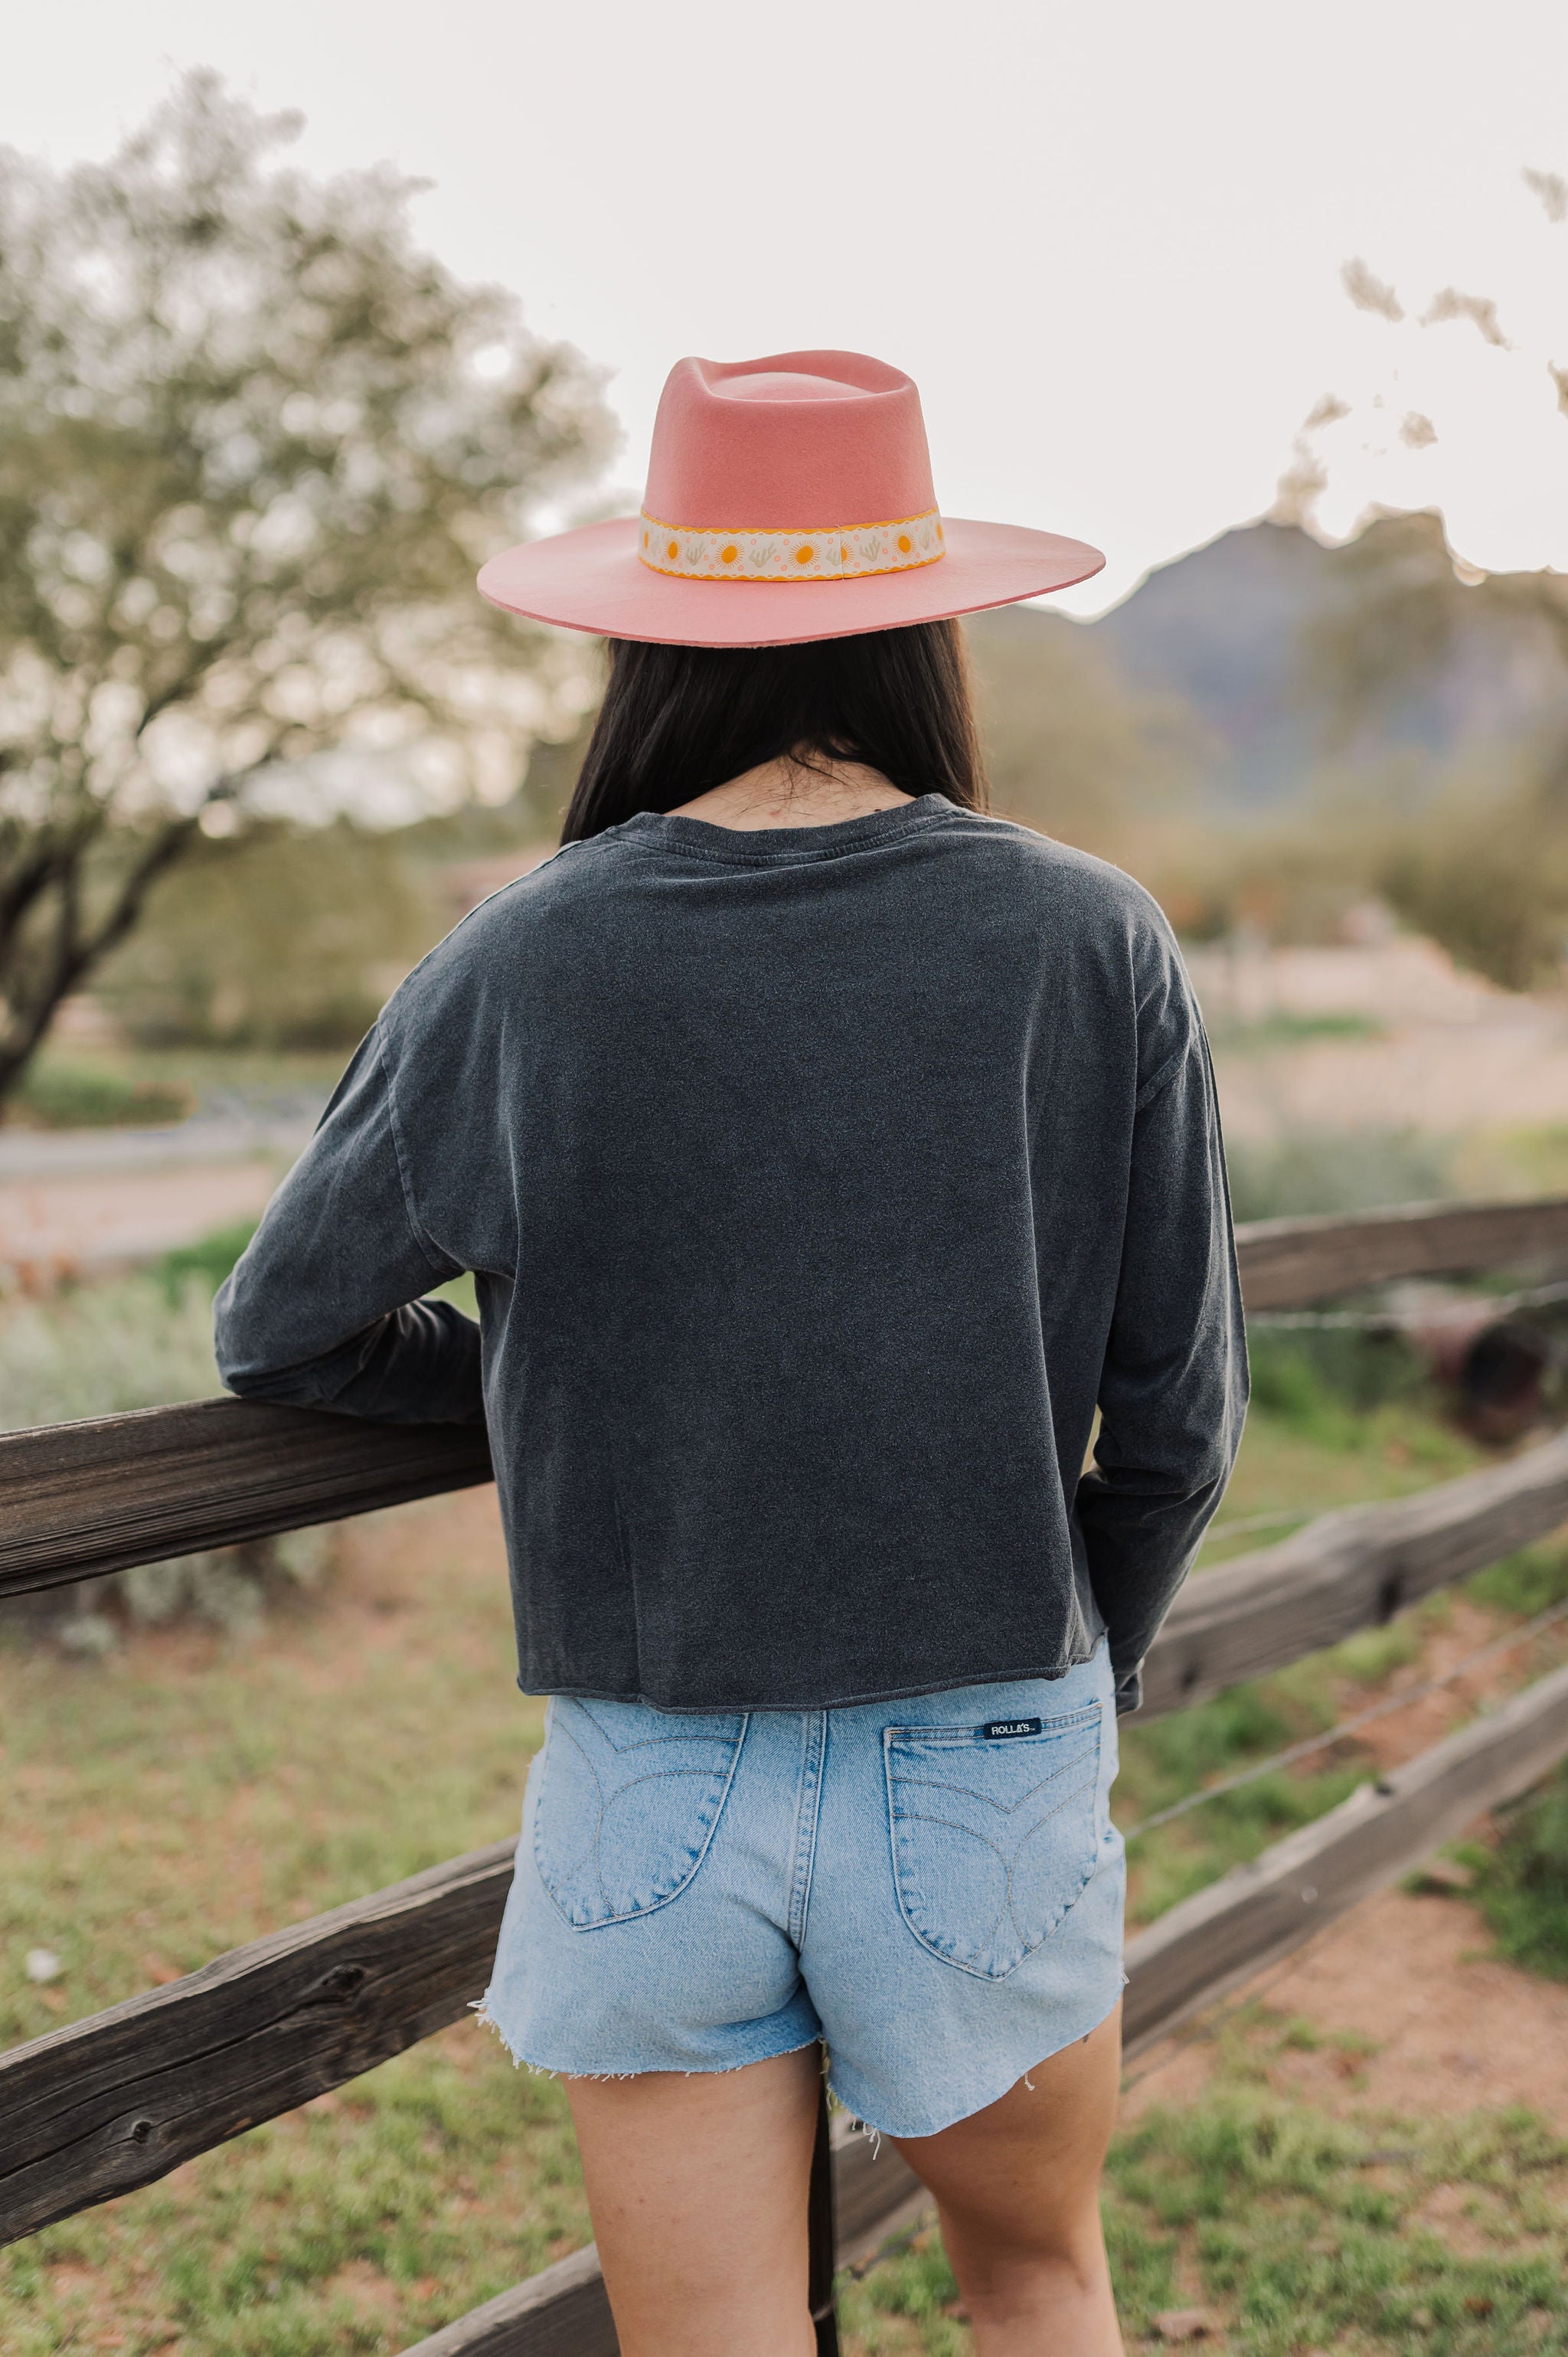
(355, 2226)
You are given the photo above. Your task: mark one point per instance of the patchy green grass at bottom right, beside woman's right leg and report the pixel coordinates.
(1300, 2233)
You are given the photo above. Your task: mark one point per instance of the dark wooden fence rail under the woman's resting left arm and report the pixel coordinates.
(171, 1481)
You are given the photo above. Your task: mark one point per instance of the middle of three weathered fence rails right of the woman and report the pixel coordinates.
(1350, 1571)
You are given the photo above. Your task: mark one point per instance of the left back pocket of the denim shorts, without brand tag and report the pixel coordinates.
(628, 1804)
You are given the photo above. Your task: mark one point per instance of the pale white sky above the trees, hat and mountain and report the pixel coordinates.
(1105, 239)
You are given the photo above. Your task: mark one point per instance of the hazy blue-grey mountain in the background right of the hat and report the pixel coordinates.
(1220, 640)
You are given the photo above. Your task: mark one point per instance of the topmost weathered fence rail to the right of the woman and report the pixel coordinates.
(1293, 1262)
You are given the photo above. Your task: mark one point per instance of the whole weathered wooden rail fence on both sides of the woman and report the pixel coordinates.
(117, 2101)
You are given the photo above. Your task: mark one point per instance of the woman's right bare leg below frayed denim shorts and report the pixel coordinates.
(1017, 2191)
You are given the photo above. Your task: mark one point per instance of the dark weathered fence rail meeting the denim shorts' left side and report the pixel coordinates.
(121, 2099)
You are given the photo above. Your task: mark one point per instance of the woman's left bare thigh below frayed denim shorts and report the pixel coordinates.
(699, 2198)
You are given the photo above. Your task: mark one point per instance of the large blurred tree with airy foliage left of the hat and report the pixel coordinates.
(253, 447)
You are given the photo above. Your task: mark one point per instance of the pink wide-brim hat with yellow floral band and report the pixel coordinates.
(789, 499)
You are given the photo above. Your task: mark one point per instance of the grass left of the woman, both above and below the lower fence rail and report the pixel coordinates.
(192, 1792)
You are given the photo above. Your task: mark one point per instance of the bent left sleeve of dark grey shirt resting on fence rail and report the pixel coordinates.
(324, 1307)
